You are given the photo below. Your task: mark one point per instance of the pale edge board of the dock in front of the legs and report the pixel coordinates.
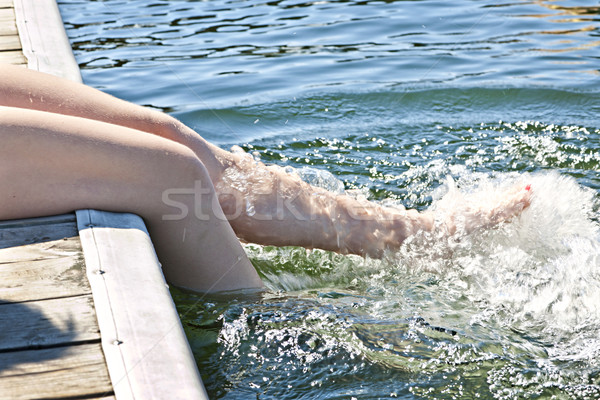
(153, 359)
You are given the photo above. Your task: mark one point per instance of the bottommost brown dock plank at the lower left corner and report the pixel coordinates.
(75, 372)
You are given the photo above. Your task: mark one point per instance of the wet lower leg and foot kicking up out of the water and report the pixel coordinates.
(287, 211)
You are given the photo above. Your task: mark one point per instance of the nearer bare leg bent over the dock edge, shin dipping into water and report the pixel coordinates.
(53, 164)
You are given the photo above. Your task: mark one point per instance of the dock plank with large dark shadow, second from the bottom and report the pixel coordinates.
(48, 323)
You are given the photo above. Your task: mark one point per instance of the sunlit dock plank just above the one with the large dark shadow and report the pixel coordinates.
(43, 271)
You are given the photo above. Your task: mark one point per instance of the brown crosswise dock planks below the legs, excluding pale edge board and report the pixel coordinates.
(49, 336)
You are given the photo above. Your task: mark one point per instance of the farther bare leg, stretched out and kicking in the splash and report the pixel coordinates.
(286, 211)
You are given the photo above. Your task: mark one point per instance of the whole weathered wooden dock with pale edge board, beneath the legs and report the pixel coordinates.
(84, 308)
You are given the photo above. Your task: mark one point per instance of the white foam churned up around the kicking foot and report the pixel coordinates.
(541, 269)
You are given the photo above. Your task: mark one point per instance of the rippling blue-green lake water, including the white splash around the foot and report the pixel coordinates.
(404, 102)
